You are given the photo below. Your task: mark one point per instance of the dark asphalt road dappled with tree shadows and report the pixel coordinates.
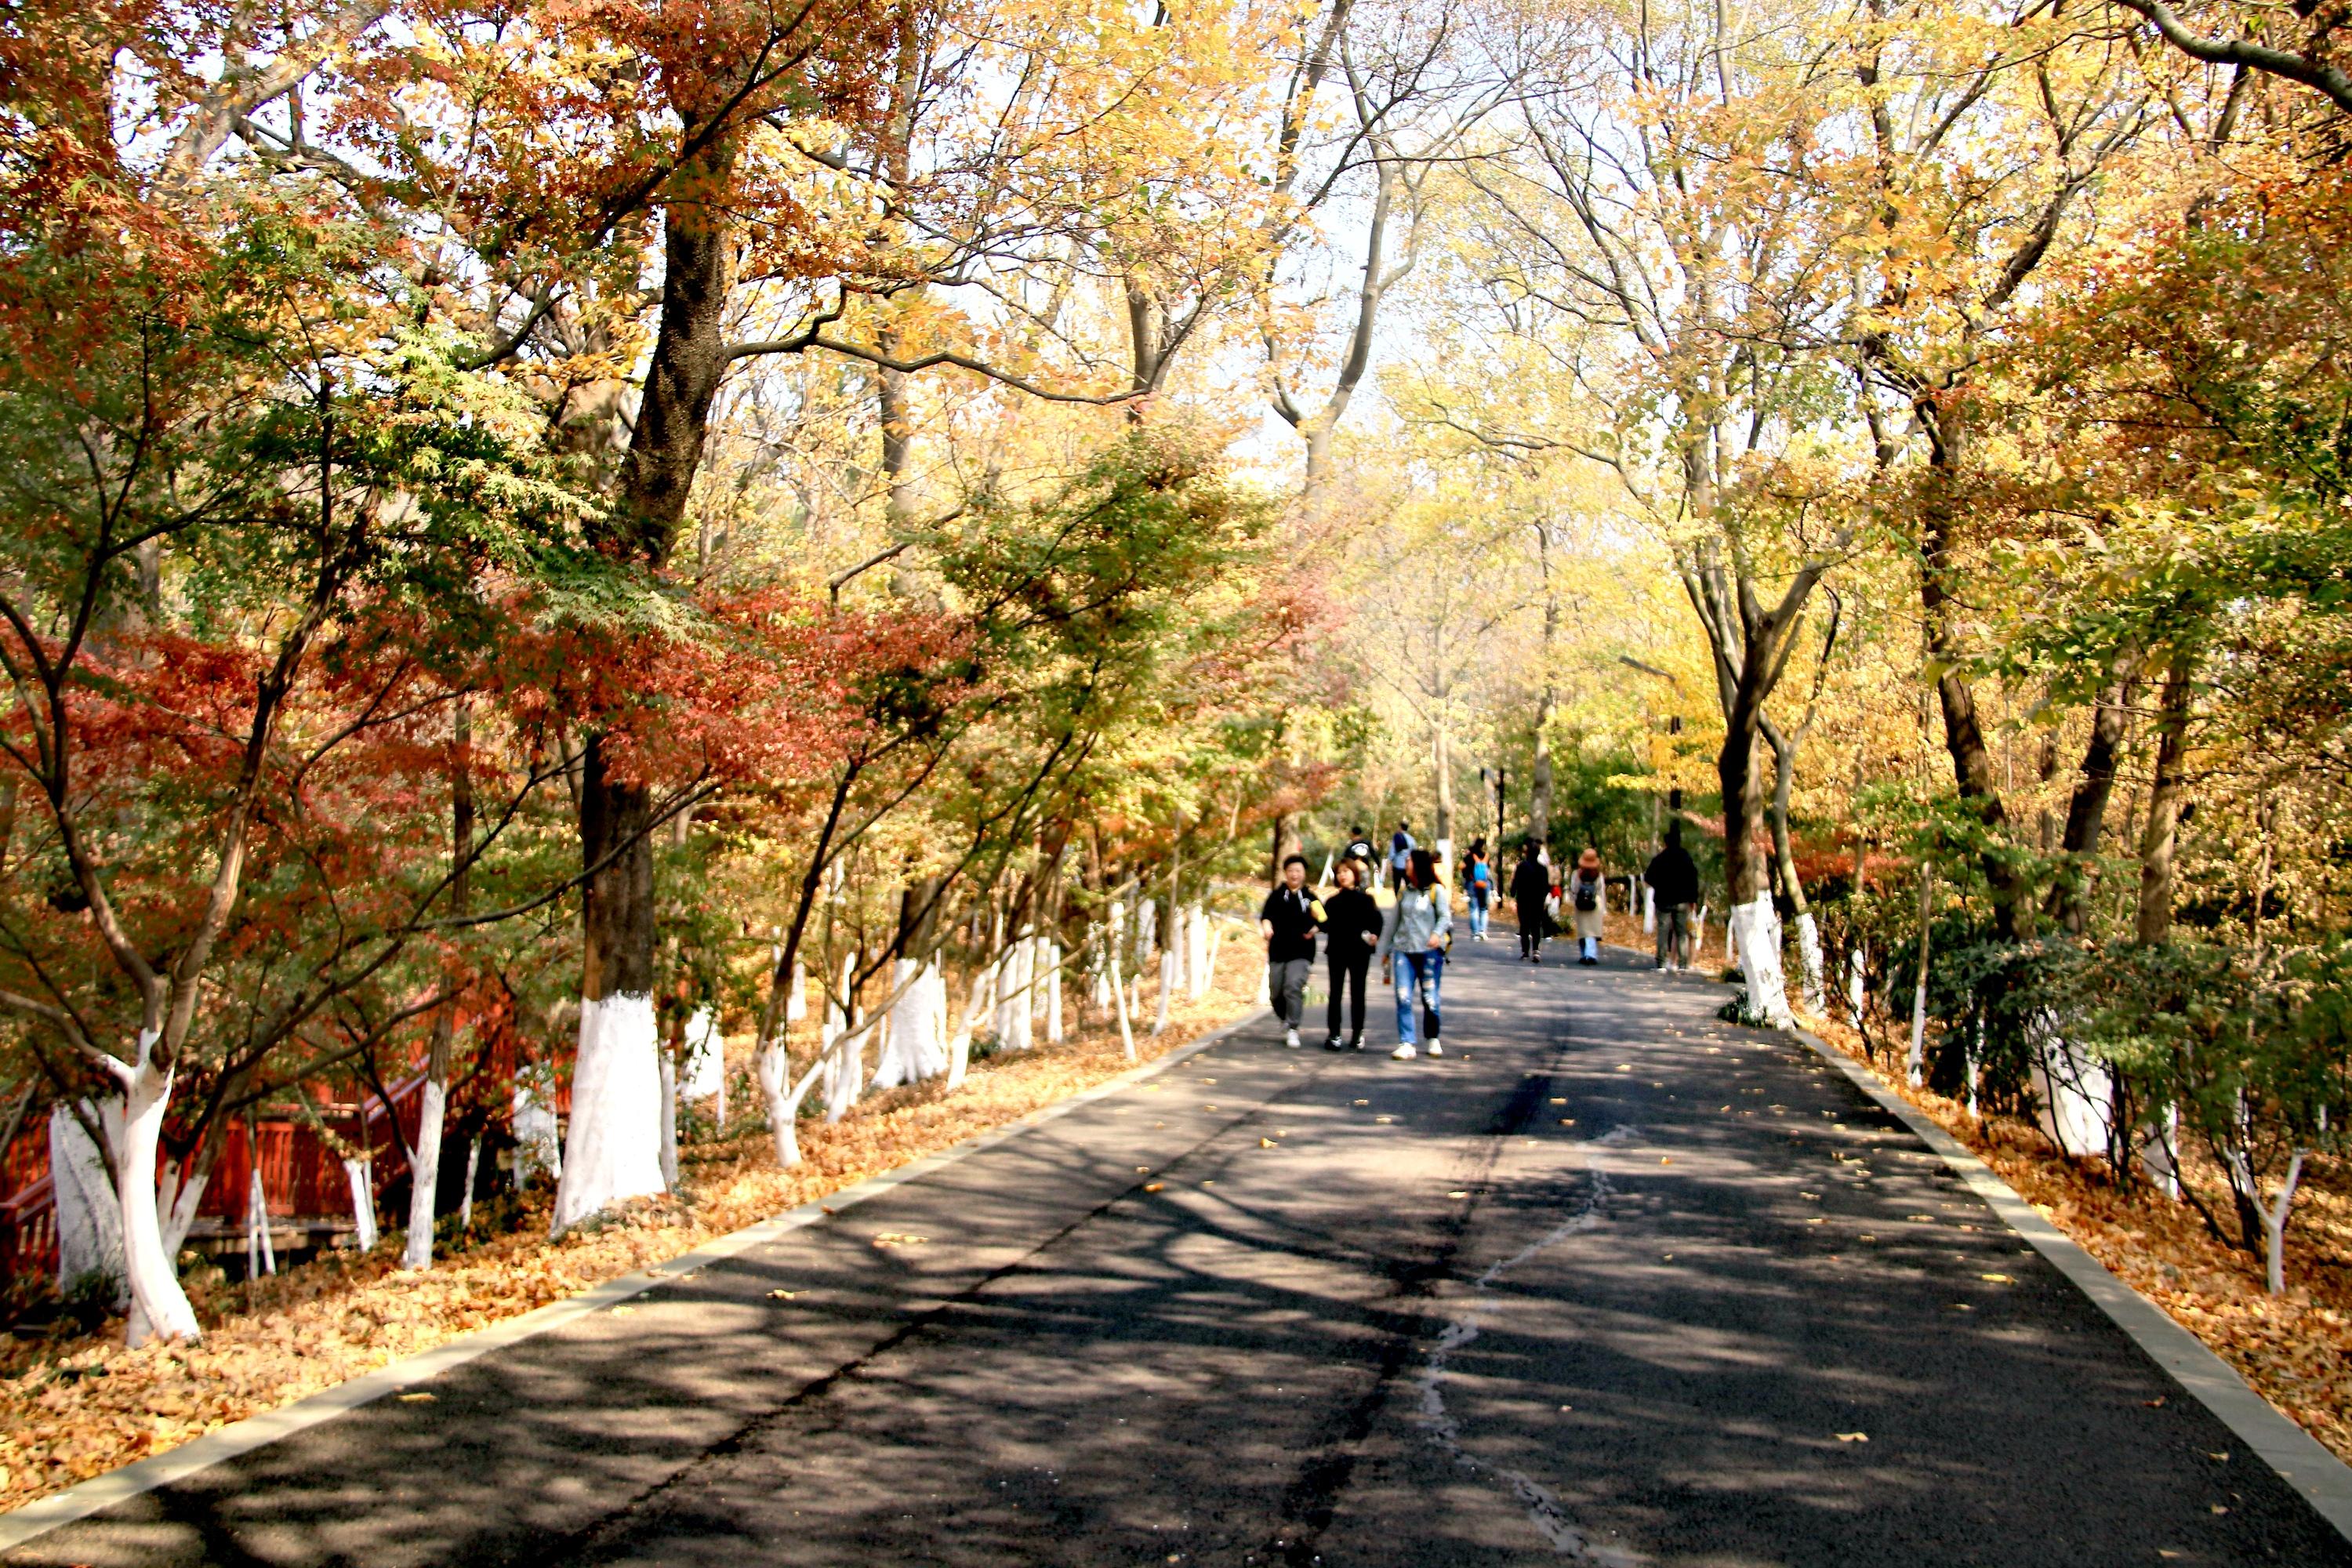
(1612, 1282)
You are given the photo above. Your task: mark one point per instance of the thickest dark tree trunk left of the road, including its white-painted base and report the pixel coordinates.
(613, 1151)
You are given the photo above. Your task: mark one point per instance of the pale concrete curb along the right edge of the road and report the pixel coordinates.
(2301, 1461)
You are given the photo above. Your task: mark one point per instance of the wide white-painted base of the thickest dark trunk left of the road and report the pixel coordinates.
(613, 1151)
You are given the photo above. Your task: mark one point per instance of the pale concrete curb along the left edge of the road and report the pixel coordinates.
(236, 1440)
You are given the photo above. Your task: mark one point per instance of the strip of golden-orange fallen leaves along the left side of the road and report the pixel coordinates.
(79, 1409)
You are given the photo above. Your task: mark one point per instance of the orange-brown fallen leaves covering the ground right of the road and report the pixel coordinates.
(2297, 1348)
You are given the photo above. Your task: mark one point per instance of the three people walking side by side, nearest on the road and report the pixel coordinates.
(1408, 939)
